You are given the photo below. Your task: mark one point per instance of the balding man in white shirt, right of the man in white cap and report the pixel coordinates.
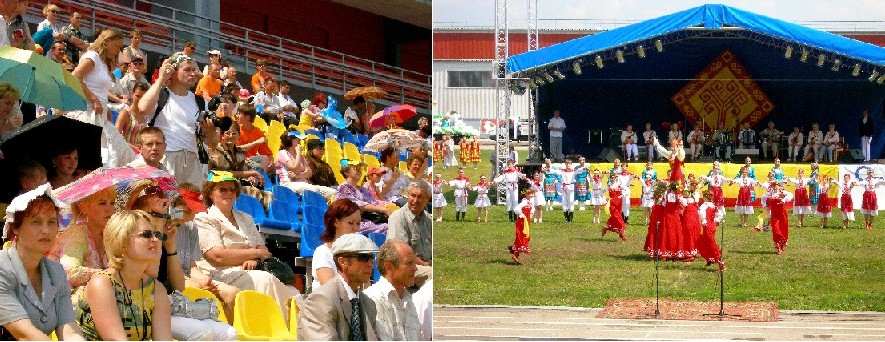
(396, 317)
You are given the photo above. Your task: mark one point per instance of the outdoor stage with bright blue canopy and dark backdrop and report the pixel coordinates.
(708, 65)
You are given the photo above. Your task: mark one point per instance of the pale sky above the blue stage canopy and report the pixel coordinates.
(607, 14)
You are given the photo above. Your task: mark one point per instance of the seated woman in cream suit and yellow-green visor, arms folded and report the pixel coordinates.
(231, 244)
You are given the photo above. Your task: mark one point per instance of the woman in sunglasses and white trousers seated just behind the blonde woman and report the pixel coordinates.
(146, 196)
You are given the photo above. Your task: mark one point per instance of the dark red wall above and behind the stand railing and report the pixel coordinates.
(328, 25)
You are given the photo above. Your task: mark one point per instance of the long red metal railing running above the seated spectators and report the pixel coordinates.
(302, 64)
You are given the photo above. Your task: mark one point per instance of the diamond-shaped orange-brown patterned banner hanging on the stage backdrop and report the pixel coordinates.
(723, 94)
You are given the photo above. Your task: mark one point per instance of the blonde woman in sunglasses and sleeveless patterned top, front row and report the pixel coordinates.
(142, 306)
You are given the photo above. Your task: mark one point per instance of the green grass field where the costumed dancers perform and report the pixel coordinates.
(570, 265)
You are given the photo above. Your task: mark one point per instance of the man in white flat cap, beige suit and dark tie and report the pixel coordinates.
(328, 312)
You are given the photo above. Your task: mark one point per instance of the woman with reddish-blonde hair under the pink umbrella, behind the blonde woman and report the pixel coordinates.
(80, 248)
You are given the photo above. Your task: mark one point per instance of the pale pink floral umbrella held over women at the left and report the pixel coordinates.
(103, 177)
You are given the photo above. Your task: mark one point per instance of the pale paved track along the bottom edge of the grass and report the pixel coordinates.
(565, 323)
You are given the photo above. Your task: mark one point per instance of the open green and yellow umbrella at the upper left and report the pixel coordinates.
(40, 80)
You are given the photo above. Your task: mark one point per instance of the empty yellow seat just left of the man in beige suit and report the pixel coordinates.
(257, 317)
